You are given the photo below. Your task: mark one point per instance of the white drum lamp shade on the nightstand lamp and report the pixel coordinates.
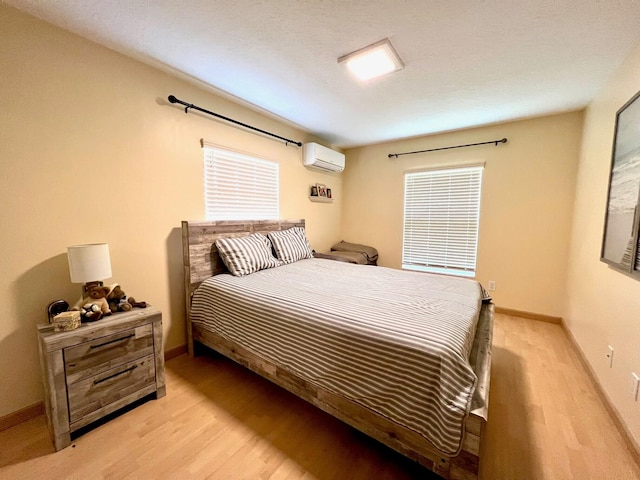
(90, 262)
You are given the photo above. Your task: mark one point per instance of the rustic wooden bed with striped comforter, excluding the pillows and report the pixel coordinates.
(316, 352)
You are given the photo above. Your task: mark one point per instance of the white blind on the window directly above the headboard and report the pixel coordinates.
(239, 186)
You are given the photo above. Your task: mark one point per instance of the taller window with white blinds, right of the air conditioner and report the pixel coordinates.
(441, 218)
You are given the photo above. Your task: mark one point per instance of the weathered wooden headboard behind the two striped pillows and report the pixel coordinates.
(200, 256)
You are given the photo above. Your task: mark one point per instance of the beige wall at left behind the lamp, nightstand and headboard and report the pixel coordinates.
(91, 151)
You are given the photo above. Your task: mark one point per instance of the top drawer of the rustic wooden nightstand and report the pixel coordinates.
(91, 358)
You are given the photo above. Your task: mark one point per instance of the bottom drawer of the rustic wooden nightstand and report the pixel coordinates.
(93, 393)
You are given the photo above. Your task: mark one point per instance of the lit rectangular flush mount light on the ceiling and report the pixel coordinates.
(373, 61)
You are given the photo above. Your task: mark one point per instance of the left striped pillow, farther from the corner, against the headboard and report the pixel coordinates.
(246, 255)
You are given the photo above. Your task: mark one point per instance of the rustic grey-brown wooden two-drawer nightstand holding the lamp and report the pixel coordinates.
(100, 367)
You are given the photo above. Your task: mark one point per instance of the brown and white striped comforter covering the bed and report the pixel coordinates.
(395, 342)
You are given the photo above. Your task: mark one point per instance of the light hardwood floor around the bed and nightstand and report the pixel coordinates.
(221, 421)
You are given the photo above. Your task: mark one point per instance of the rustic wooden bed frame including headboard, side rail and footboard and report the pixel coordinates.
(201, 261)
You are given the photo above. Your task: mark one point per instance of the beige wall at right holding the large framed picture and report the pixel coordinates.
(603, 305)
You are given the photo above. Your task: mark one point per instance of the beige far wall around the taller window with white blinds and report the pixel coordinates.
(527, 200)
